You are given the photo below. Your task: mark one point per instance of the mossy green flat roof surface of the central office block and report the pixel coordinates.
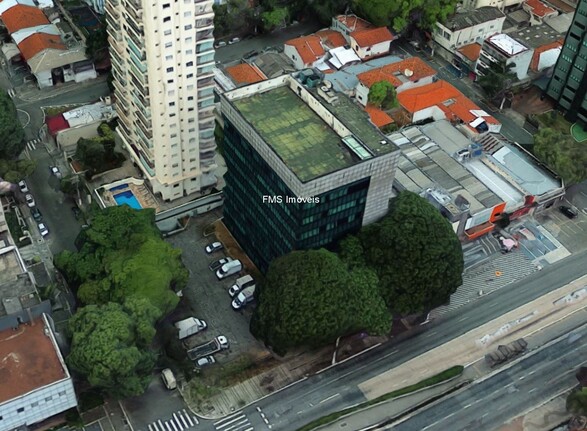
(305, 143)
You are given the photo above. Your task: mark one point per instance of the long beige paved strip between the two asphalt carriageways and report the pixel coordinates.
(471, 347)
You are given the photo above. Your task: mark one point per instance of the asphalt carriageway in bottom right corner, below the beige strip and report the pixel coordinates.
(534, 380)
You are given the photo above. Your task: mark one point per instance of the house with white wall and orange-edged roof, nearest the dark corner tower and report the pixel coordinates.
(546, 43)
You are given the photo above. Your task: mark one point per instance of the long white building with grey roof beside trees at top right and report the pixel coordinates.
(467, 28)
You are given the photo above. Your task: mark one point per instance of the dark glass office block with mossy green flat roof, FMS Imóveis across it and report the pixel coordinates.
(305, 166)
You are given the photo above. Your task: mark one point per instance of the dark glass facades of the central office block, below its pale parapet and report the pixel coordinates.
(267, 227)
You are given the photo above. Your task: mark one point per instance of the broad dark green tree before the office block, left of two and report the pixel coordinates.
(309, 298)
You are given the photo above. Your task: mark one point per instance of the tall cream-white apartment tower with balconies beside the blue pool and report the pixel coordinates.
(163, 65)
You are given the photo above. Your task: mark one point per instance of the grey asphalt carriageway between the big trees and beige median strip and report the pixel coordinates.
(336, 388)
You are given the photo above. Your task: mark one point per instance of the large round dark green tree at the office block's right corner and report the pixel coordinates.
(415, 253)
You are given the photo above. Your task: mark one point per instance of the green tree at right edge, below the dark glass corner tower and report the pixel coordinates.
(562, 153)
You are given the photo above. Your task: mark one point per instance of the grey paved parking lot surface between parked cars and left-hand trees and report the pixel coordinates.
(208, 298)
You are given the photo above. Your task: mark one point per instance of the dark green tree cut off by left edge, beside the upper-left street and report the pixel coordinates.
(11, 131)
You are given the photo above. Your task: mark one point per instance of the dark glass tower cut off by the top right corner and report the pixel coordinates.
(568, 85)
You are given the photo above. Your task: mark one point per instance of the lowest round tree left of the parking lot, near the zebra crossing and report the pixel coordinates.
(110, 346)
